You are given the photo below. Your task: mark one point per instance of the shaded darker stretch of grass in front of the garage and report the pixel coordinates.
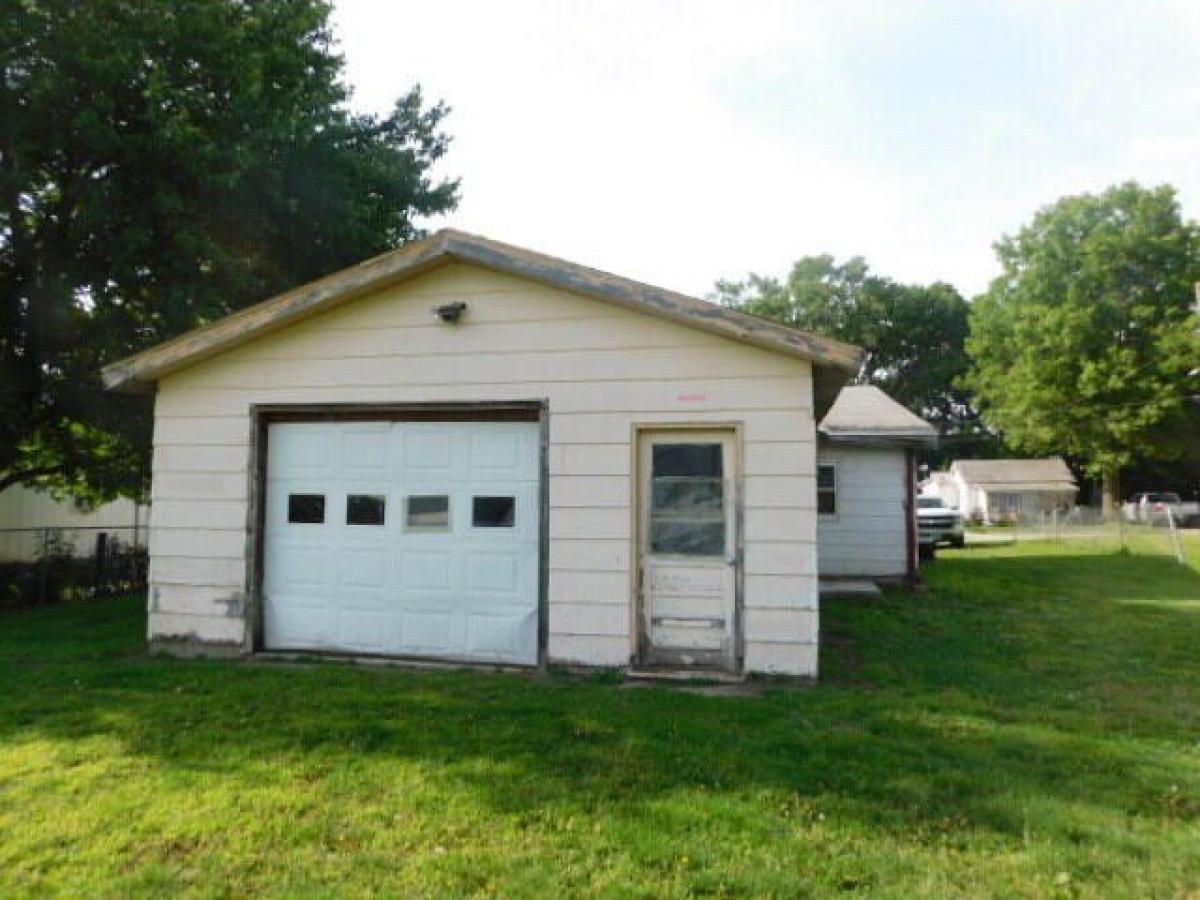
(1011, 686)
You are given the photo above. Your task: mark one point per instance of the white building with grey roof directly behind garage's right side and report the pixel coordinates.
(867, 487)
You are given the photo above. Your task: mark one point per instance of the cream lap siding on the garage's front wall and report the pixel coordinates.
(602, 368)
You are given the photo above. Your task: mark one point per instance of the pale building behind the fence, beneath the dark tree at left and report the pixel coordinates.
(28, 517)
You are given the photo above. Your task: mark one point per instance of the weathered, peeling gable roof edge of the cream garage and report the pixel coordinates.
(447, 247)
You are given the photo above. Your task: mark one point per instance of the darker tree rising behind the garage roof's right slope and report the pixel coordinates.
(914, 334)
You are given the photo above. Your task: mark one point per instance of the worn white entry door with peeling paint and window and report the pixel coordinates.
(688, 549)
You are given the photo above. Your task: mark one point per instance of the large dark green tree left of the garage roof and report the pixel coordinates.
(161, 165)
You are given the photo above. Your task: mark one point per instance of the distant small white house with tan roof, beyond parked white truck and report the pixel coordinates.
(1005, 490)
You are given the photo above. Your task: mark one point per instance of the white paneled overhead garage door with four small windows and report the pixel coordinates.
(413, 539)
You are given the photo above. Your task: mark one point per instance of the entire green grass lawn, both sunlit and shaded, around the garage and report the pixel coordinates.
(1030, 727)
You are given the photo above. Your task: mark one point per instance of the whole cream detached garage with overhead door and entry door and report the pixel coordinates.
(464, 451)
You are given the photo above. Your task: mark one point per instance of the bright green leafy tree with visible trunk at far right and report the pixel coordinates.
(1088, 344)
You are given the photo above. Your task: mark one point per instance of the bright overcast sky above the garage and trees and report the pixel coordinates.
(681, 142)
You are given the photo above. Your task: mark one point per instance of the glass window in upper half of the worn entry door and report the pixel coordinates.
(687, 500)
